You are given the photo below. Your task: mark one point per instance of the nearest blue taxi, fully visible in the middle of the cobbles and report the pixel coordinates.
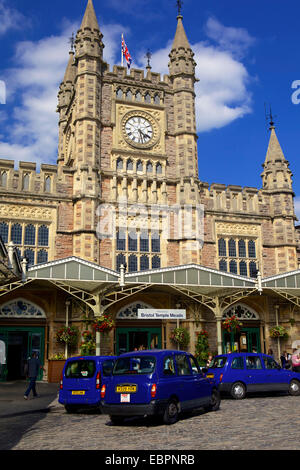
(157, 382)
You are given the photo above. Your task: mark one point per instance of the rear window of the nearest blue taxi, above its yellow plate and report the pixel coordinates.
(134, 365)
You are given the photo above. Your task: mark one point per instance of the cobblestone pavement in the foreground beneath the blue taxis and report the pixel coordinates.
(256, 423)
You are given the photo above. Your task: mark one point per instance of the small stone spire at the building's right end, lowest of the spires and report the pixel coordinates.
(276, 174)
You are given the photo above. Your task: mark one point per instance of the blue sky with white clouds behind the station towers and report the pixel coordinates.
(247, 54)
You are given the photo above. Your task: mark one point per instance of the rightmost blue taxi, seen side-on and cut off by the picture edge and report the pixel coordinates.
(240, 373)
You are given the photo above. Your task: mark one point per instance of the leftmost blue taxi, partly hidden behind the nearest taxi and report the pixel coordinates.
(81, 381)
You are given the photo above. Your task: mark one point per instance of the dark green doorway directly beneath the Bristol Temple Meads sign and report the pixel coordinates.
(130, 339)
